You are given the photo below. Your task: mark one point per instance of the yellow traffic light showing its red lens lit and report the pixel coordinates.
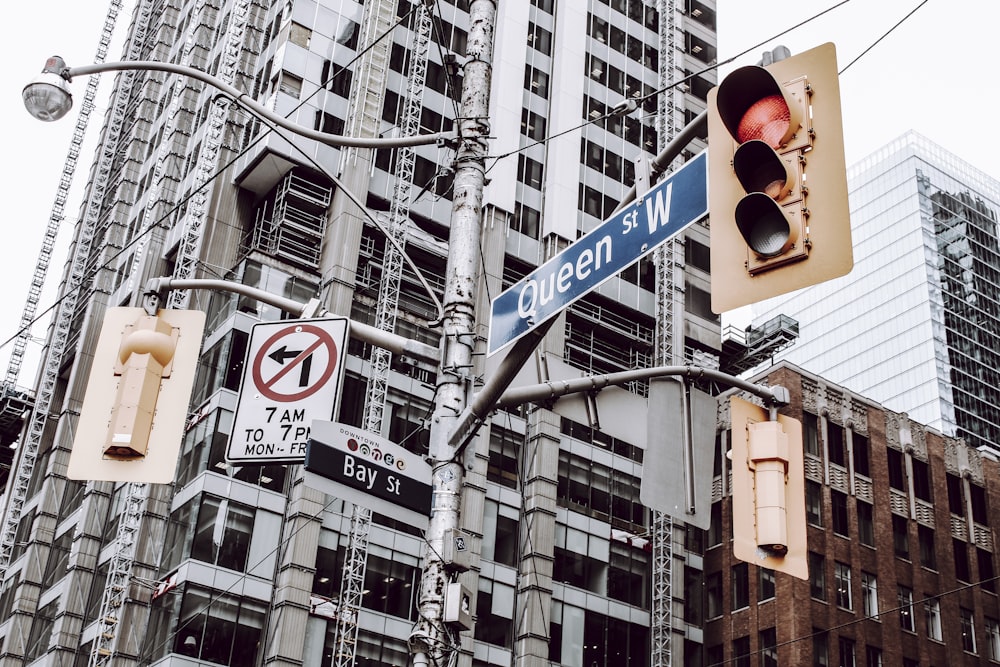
(778, 209)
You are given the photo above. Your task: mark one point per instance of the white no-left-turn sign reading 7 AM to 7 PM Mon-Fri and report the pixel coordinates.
(293, 376)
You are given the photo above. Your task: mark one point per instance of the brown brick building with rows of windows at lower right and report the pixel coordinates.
(901, 553)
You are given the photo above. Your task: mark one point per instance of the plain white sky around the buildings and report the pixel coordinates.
(935, 74)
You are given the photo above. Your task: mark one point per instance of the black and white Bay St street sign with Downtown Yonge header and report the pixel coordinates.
(365, 469)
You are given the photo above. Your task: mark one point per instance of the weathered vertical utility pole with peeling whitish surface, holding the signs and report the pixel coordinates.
(432, 641)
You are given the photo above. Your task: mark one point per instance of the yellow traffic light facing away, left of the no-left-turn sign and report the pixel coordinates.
(133, 415)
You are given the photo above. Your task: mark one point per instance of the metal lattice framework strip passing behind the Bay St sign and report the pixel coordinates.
(385, 320)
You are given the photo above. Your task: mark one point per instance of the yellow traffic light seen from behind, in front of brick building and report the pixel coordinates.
(769, 509)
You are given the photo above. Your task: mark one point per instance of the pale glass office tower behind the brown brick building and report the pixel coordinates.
(915, 324)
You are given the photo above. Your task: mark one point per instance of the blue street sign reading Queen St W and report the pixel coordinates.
(665, 210)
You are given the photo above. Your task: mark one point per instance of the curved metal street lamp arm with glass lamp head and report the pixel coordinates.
(48, 98)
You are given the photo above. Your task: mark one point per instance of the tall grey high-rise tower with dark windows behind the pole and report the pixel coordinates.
(244, 565)
